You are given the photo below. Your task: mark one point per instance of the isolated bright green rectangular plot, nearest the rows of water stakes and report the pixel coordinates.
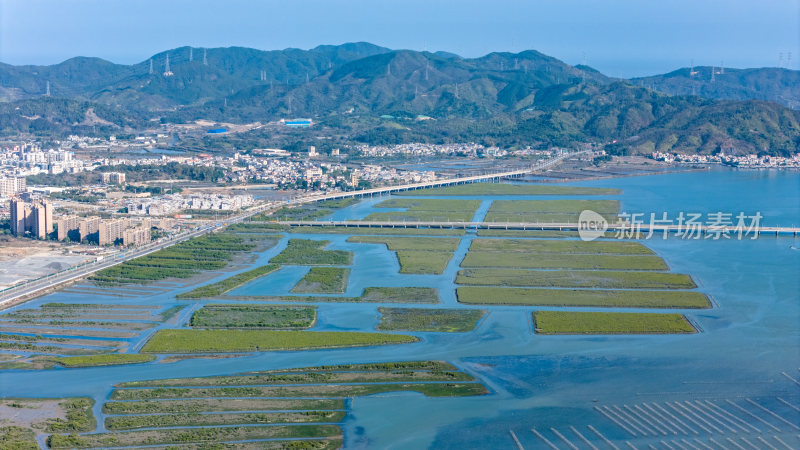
(572, 322)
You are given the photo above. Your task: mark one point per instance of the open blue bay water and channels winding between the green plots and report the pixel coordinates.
(749, 337)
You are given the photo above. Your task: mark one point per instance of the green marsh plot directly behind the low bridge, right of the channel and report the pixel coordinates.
(549, 211)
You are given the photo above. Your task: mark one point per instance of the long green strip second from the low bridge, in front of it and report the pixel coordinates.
(563, 261)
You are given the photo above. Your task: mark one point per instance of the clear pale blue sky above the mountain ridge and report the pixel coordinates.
(618, 37)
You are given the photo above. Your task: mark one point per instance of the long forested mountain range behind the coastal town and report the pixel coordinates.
(377, 95)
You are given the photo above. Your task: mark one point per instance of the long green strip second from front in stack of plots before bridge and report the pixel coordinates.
(575, 279)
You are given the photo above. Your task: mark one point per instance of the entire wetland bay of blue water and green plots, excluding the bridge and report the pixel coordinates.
(713, 362)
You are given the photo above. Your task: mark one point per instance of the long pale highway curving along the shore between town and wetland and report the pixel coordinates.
(33, 287)
